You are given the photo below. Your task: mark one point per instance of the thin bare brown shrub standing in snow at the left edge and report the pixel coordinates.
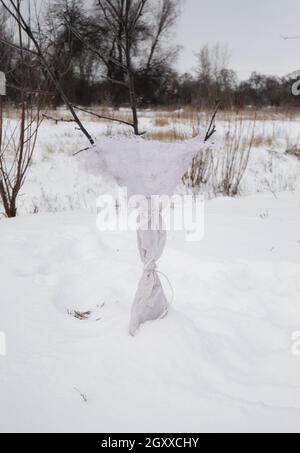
(18, 139)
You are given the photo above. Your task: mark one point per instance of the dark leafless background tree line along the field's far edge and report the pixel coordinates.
(88, 52)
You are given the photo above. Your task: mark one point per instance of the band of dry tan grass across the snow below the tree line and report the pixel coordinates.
(182, 124)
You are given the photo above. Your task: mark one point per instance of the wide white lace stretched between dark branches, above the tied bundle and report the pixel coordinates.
(144, 167)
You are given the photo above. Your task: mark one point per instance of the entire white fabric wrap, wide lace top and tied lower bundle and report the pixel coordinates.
(145, 168)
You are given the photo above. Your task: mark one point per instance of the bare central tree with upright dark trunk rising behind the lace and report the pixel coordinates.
(129, 36)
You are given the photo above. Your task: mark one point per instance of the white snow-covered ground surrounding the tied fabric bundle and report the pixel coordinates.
(222, 360)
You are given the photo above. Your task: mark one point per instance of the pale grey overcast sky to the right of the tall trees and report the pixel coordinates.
(250, 28)
